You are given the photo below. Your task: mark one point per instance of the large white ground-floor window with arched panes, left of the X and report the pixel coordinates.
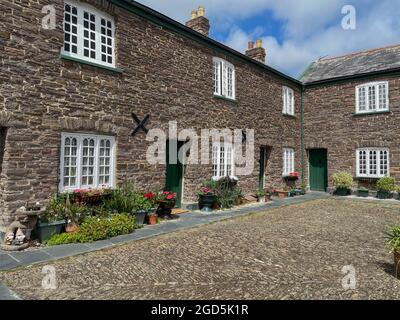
(87, 161)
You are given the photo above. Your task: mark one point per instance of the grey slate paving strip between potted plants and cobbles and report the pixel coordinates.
(10, 260)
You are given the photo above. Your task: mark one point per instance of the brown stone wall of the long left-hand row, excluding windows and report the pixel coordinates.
(164, 75)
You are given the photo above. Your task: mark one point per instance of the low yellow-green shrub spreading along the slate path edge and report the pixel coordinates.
(94, 229)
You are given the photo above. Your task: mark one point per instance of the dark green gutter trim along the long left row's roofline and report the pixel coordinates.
(176, 27)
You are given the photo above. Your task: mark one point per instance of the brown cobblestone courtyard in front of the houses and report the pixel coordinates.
(292, 252)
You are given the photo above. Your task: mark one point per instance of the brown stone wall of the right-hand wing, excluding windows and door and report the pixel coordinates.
(331, 123)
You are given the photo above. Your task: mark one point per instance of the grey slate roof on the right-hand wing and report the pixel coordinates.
(374, 60)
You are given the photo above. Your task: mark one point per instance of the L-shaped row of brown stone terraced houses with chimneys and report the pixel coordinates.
(68, 95)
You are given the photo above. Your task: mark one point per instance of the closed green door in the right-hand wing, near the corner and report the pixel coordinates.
(318, 170)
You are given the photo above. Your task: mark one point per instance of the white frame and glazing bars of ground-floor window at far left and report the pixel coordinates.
(78, 181)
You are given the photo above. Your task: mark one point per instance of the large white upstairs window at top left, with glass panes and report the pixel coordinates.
(88, 34)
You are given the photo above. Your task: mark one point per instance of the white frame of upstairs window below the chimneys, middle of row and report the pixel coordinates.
(220, 78)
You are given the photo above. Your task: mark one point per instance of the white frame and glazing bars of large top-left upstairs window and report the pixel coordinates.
(81, 7)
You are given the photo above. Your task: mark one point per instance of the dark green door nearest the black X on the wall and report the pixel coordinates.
(174, 174)
